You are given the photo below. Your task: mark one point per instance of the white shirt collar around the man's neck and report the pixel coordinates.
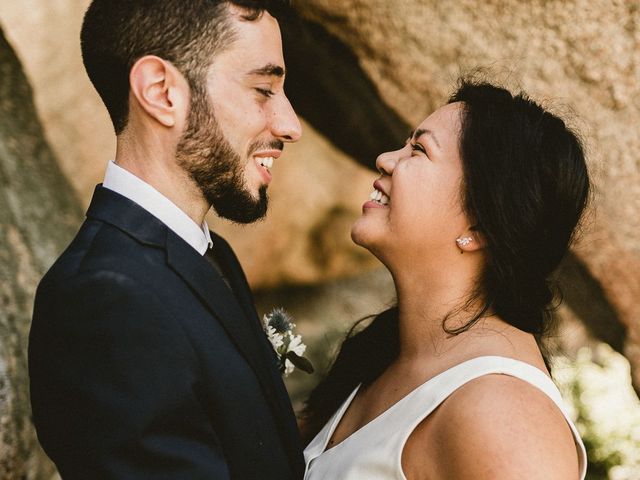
(128, 185)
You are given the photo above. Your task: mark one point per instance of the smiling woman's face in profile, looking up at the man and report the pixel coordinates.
(418, 211)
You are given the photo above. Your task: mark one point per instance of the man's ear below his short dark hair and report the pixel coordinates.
(159, 89)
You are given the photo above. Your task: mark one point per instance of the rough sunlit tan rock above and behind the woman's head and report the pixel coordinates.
(582, 56)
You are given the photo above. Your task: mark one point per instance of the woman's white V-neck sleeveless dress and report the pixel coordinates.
(374, 451)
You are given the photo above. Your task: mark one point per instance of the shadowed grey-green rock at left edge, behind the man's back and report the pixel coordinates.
(38, 215)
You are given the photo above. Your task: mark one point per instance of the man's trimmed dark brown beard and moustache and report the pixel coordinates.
(206, 155)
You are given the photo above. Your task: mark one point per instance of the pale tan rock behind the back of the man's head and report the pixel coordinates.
(46, 38)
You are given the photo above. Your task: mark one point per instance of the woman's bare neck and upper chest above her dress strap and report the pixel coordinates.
(425, 302)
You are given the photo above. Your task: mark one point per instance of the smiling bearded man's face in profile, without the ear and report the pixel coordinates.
(238, 122)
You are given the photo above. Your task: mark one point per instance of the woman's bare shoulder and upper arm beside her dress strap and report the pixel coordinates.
(498, 427)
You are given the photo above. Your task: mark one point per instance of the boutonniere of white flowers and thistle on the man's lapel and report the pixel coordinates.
(279, 327)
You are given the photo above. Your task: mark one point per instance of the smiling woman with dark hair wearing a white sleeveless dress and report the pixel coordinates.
(471, 217)
